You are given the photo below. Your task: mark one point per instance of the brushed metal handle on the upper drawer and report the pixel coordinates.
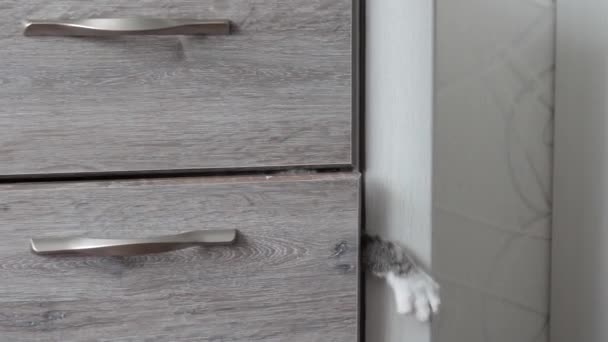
(110, 27)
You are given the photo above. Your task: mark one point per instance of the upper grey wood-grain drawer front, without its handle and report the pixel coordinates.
(276, 92)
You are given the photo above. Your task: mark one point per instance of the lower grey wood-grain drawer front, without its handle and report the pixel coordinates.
(292, 276)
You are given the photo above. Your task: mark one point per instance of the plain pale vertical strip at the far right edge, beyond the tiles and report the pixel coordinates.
(579, 284)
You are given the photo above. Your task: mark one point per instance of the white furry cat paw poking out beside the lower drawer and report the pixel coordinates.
(416, 293)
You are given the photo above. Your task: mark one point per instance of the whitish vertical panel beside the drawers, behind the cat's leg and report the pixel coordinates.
(398, 151)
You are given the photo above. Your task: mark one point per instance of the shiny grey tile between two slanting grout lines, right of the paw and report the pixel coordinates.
(507, 265)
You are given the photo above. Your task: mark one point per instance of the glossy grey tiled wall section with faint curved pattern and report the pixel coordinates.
(492, 160)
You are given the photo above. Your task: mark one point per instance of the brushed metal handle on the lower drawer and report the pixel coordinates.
(130, 247)
